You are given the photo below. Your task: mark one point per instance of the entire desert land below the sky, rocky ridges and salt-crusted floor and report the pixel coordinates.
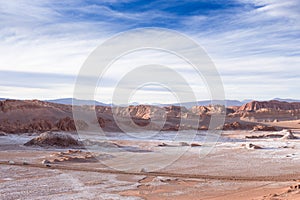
(47, 154)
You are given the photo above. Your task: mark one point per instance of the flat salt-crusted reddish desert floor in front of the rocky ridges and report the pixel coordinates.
(153, 169)
